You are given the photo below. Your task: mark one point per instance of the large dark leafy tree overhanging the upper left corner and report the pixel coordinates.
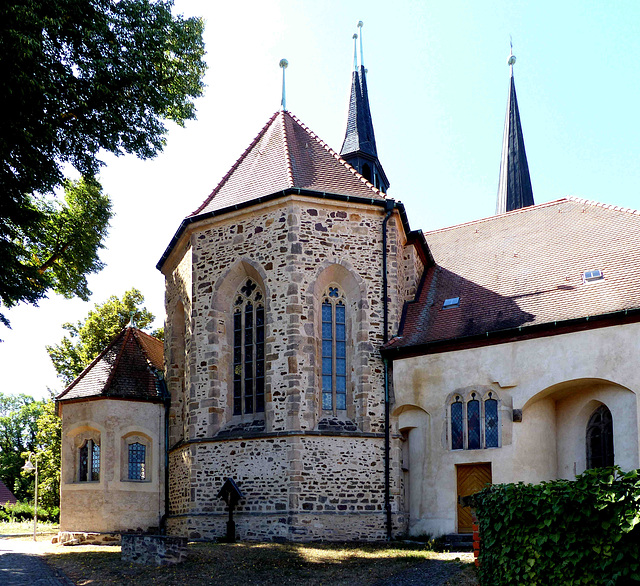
(77, 77)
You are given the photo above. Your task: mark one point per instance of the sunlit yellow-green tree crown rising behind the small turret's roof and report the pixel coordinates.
(88, 337)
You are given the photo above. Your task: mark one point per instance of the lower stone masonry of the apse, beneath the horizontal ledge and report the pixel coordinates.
(295, 488)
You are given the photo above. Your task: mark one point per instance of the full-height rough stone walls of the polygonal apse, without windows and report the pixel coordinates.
(293, 249)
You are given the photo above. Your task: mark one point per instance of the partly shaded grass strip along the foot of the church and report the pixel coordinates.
(254, 564)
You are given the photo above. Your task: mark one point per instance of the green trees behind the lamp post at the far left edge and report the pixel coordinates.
(19, 415)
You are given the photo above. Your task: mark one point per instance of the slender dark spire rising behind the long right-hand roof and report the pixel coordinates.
(514, 187)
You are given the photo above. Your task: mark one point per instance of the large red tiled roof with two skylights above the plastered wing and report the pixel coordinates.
(526, 268)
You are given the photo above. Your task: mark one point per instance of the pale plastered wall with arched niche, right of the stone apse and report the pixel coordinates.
(557, 382)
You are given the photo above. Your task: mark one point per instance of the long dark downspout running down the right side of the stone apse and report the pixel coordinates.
(389, 205)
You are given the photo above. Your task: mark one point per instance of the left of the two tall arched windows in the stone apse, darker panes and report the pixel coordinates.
(248, 350)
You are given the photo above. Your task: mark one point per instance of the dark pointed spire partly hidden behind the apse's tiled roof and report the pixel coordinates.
(359, 146)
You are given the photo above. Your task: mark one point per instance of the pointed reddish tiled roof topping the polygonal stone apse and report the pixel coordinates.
(286, 154)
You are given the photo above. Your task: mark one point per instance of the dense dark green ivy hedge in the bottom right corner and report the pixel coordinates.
(583, 531)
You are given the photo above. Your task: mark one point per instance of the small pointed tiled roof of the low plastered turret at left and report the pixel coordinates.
(124, 370)
